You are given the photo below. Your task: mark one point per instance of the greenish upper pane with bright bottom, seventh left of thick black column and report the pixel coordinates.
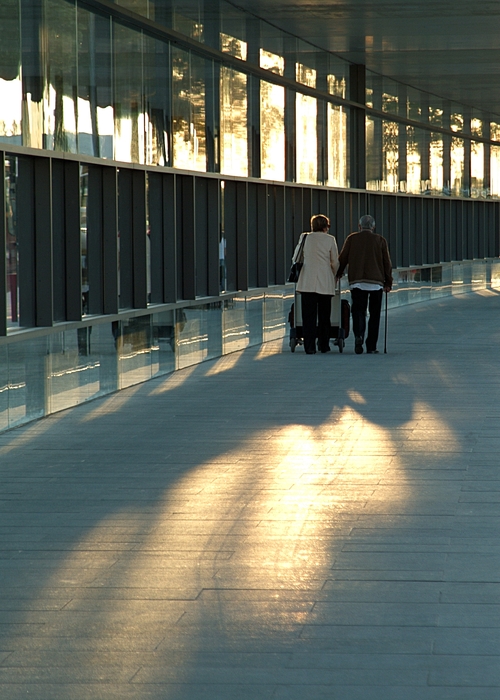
(128, 99)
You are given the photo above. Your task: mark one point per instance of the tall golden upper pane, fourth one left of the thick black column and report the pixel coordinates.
(234, 134)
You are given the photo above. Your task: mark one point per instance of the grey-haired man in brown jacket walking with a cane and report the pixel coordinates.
(370, 274)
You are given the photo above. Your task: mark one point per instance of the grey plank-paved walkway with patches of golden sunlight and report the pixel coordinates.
(269, 526)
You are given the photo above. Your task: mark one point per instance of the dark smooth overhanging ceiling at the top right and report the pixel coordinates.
(449, 48)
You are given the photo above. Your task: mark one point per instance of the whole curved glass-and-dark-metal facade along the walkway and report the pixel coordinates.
(161, 158)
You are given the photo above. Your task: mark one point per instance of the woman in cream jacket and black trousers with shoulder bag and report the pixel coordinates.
(316, 282)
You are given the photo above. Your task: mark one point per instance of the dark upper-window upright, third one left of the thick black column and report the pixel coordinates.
(253, 88)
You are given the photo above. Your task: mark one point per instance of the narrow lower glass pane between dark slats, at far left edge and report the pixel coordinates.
(12, 252)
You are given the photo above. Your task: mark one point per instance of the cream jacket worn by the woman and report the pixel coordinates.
(321, 261)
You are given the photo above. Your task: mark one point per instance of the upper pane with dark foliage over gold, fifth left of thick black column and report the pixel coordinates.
(188, 123)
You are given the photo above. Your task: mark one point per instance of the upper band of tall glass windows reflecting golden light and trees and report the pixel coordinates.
(80, 82)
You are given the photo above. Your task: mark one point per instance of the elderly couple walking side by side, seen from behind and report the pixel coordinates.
(366, 255)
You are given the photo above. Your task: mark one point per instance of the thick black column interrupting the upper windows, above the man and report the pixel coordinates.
(357, 129)
